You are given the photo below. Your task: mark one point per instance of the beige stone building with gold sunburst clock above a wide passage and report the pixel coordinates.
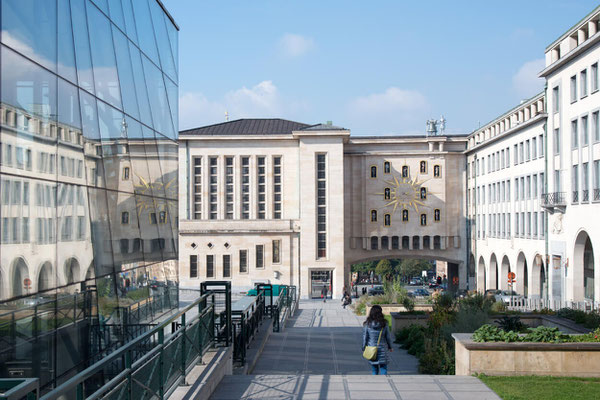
(285, 202)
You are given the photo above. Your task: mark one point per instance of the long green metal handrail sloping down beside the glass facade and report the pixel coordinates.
(88, 372)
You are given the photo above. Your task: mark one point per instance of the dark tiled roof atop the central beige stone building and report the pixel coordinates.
(261, 126)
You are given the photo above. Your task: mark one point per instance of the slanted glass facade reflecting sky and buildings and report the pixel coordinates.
(88, 178)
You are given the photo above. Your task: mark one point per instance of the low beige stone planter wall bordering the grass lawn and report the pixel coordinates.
(498, 358)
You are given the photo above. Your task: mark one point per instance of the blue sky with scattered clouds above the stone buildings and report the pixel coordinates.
(377, 67)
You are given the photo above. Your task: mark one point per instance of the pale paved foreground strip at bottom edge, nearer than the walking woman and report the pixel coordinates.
(358, 387)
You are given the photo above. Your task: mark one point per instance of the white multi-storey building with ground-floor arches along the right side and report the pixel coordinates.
(534, 181)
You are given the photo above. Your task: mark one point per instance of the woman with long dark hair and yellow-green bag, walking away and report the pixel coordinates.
(376, 333)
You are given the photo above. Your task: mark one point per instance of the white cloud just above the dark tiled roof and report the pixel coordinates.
(260, 101)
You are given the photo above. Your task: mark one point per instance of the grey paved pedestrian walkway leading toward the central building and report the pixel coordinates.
(318, 356)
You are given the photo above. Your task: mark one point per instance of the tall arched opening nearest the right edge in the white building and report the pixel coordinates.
(583, 266)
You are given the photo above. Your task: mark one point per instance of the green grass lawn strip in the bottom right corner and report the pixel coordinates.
(543, 387)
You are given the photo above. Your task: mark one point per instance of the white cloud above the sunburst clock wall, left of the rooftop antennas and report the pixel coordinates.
(395, 111)
